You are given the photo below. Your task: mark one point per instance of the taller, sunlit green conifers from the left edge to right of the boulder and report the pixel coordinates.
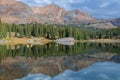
(41, 30)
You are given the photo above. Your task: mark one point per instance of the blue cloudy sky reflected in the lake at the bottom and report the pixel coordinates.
(98, 71)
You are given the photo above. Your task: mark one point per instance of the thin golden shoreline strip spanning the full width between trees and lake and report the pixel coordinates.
(43, 41)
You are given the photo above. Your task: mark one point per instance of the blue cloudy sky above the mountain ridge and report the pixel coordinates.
(96, 8)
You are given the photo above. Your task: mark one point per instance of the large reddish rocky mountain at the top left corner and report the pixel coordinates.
(16, 12)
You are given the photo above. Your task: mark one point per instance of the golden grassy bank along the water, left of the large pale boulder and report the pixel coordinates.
(25, 41)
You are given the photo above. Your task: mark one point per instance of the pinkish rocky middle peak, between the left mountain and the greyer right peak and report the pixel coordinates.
(49, 14)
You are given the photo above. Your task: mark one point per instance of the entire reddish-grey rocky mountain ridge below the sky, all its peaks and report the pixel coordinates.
(13, 11)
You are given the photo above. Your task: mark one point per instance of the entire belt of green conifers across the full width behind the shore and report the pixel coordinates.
(55, 31)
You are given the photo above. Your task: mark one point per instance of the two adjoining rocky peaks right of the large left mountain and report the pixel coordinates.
(55, 14)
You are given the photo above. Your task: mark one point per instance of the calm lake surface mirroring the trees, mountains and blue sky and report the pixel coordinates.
(81, 61)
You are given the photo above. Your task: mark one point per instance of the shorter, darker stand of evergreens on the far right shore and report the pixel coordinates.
(105, 34)
